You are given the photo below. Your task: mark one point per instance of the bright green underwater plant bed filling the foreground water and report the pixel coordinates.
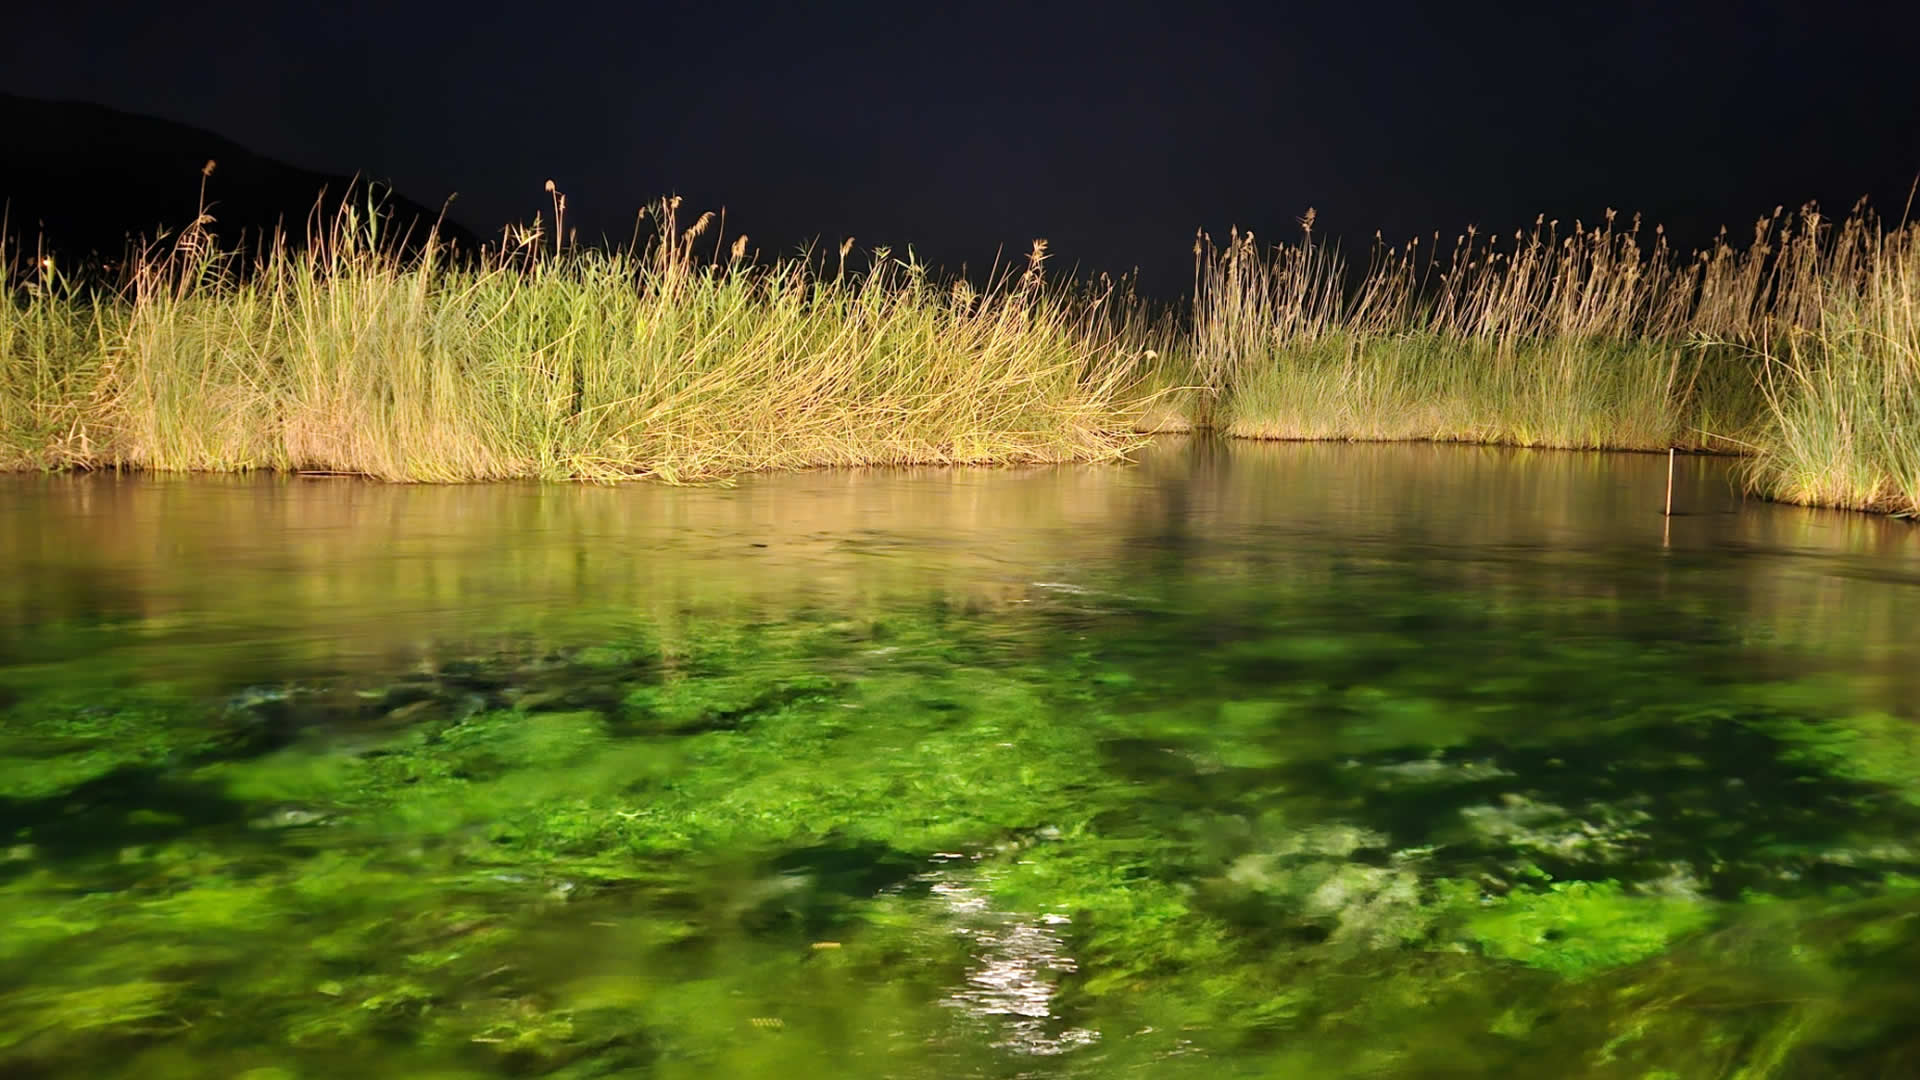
(1362, 831)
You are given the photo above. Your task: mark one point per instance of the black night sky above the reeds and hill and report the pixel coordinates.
(1113, 130)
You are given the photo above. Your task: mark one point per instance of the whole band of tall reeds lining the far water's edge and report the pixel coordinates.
(1800, 351)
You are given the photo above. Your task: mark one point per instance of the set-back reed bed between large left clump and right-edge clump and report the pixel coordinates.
(1566, 341)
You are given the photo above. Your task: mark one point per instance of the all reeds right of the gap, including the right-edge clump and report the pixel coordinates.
(1798, 351)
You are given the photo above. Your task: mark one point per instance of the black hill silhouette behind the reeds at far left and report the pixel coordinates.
(84, 180)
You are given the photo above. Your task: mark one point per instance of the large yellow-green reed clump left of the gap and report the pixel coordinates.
(558, 364)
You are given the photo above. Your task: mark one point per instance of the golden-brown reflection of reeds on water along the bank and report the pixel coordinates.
(362, 574)
